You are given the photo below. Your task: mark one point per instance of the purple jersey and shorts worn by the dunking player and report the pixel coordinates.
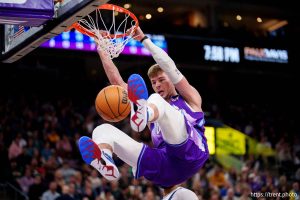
(167, 165)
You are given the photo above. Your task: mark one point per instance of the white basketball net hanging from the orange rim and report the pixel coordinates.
(111, 36)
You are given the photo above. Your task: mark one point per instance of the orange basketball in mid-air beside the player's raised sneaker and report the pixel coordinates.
(112, 103)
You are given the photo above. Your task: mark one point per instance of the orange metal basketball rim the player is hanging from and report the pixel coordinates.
(112, 7)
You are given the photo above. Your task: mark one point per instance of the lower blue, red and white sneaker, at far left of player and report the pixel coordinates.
(97, 158)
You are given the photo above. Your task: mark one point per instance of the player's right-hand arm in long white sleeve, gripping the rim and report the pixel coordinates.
(188, 92)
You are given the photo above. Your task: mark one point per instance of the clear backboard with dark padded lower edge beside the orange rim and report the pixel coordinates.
(15, 46)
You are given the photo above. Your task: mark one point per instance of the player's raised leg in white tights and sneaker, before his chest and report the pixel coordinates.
(155, 108)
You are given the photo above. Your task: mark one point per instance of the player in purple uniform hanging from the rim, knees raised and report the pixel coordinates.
(173, 114)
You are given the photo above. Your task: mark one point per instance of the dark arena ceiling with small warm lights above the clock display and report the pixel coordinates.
(209, 13)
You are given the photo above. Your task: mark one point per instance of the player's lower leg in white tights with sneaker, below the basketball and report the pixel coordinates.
(107, 139)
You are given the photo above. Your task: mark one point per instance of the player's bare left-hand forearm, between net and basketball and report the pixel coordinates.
(111, 70)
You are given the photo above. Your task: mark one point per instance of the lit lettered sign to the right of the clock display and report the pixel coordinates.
(266, 55)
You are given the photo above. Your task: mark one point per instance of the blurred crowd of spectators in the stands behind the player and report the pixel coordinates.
(39, 154)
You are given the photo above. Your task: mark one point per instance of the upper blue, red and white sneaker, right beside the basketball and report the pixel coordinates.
(138, 95)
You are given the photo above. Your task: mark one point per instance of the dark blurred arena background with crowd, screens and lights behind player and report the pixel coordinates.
(242, 56)
